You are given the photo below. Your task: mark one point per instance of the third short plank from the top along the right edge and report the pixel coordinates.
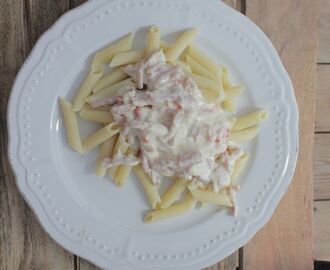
(322, 167)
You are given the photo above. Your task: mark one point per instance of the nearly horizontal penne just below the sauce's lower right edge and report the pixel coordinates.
(211, 197)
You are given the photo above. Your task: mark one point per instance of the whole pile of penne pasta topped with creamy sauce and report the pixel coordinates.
(167, 112)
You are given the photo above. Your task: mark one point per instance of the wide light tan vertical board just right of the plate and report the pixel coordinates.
(286, 241)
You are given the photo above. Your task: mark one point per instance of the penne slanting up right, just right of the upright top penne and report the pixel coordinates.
(181, 44)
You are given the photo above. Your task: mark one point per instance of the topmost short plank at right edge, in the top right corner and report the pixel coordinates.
(324, 32)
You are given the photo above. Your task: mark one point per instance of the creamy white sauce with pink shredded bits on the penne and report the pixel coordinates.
(178, 133)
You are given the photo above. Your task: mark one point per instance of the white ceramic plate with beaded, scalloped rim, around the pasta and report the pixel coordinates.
(102, 223)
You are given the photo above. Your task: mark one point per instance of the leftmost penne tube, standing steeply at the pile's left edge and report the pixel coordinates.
(71, 126)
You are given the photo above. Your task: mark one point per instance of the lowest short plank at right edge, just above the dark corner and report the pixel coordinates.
(322, 230)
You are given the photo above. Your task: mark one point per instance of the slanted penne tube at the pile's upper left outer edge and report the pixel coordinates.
(105, 56)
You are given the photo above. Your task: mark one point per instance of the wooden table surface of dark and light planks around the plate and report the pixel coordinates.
(286, 242)
